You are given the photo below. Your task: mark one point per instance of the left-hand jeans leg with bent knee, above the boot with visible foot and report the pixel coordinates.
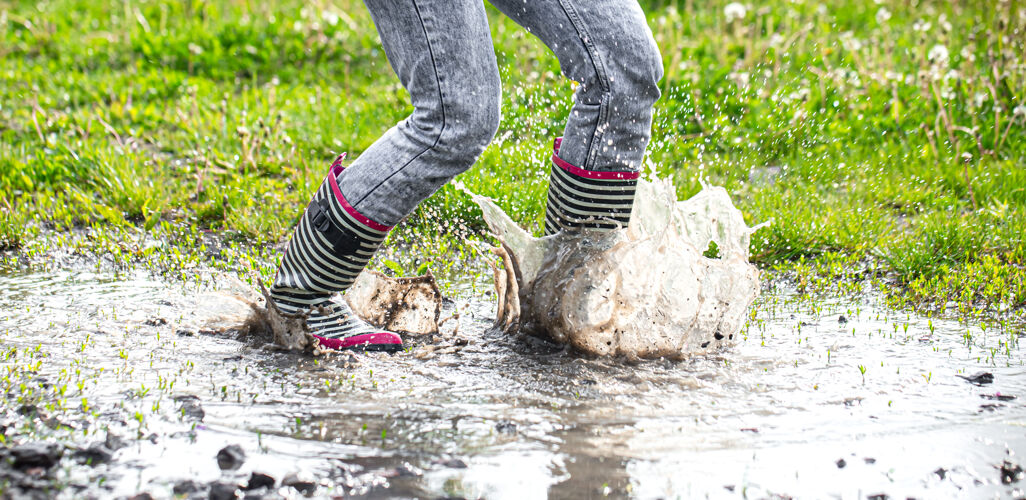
(443, 53)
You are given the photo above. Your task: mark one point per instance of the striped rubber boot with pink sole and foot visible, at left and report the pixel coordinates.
(330, 248)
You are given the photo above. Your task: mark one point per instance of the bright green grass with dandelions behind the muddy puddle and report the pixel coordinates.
(837, 120)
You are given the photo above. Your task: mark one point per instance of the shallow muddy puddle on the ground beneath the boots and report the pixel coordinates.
(787, 411)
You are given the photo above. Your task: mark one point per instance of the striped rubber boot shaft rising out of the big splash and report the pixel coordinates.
(587, 200)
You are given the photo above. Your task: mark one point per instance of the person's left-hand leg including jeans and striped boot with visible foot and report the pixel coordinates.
(442, 51)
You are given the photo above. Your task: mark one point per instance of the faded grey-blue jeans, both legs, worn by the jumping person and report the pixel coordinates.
(443, 53)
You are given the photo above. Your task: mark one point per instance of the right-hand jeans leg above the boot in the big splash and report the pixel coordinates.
(608, 48)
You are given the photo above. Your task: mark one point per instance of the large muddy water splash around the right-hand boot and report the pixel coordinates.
(645, 291)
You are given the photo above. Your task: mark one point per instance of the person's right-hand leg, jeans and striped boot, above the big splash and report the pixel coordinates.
(608, 48)
